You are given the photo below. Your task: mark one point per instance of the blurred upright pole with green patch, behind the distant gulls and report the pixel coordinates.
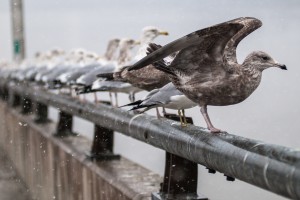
(17, 30)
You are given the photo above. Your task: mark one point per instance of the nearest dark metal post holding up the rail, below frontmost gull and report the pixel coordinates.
(181, 176)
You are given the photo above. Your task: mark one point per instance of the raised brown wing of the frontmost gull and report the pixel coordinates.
(206, 47)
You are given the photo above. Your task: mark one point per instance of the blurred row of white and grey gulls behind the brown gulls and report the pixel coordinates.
(78, 68)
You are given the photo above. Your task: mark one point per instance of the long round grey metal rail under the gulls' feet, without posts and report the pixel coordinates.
(272, 167)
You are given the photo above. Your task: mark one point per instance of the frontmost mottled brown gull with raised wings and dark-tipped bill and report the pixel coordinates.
(206, 68)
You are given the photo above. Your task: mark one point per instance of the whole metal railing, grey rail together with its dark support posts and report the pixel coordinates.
(271, 167)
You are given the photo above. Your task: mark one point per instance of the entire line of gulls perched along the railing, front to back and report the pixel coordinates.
(199, 69)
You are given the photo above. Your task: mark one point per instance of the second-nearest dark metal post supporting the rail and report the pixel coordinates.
(102, 147)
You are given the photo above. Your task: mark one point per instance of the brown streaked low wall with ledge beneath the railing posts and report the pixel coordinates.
(57, 168)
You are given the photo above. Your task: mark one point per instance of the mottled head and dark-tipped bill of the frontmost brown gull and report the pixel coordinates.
(261, 61)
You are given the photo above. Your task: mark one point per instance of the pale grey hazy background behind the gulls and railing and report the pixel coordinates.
(271, 114)
